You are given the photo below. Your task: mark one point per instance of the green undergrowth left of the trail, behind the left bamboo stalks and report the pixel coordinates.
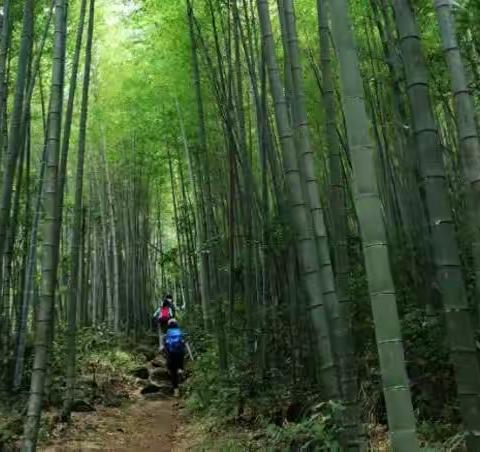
(104, 364)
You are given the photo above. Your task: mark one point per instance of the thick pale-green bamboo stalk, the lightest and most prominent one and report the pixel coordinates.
(401, 419)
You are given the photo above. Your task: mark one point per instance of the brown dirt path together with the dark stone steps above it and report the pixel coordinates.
(147, 421)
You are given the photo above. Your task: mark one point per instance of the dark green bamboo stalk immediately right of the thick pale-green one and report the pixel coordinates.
(445, 252)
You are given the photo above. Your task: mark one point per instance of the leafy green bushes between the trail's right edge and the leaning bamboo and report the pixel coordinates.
(240, 411)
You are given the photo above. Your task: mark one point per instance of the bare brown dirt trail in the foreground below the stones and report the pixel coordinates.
(143, 425)
